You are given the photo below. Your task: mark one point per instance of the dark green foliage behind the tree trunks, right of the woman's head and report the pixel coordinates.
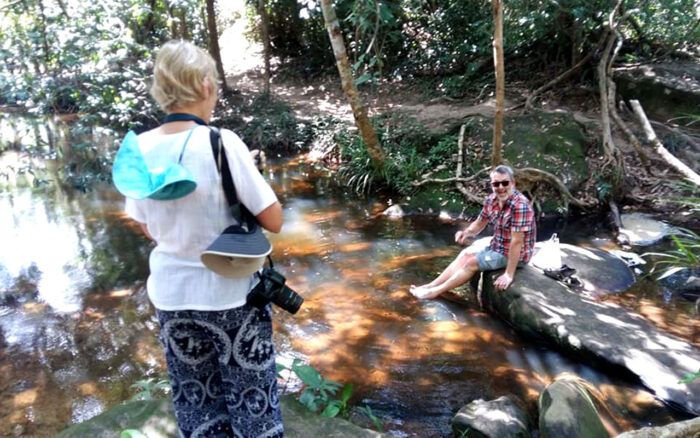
(449, 41)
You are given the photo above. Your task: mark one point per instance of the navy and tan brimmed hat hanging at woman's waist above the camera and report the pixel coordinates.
(237, 252)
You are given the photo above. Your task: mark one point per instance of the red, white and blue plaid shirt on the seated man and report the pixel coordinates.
(516, 215)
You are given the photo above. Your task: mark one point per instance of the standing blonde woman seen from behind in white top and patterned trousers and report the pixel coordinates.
(219, 350)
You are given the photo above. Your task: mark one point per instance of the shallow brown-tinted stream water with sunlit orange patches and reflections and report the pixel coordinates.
(76, 329)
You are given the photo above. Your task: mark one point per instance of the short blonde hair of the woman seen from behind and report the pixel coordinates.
(179, 74)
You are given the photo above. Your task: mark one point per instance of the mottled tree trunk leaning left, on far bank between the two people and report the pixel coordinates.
(359, 110)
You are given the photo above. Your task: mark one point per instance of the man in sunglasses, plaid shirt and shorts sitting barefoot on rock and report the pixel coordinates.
(513, 220)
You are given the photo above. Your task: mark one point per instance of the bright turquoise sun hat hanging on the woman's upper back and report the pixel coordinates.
(134, 179)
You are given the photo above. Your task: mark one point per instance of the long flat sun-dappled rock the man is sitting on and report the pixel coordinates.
(539, 306)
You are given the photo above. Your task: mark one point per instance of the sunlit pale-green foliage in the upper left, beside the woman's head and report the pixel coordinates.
(91, 58)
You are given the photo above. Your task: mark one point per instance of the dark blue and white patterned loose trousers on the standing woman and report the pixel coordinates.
(222, 372)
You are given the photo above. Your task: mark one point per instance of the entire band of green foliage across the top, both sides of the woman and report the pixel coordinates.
(61, 56)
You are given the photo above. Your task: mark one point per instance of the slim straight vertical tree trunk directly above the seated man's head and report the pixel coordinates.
(496, 158)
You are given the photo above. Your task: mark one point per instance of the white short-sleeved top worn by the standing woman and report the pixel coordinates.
(184, 227)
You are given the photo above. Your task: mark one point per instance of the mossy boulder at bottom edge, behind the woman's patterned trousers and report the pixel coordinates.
(156, 419)
